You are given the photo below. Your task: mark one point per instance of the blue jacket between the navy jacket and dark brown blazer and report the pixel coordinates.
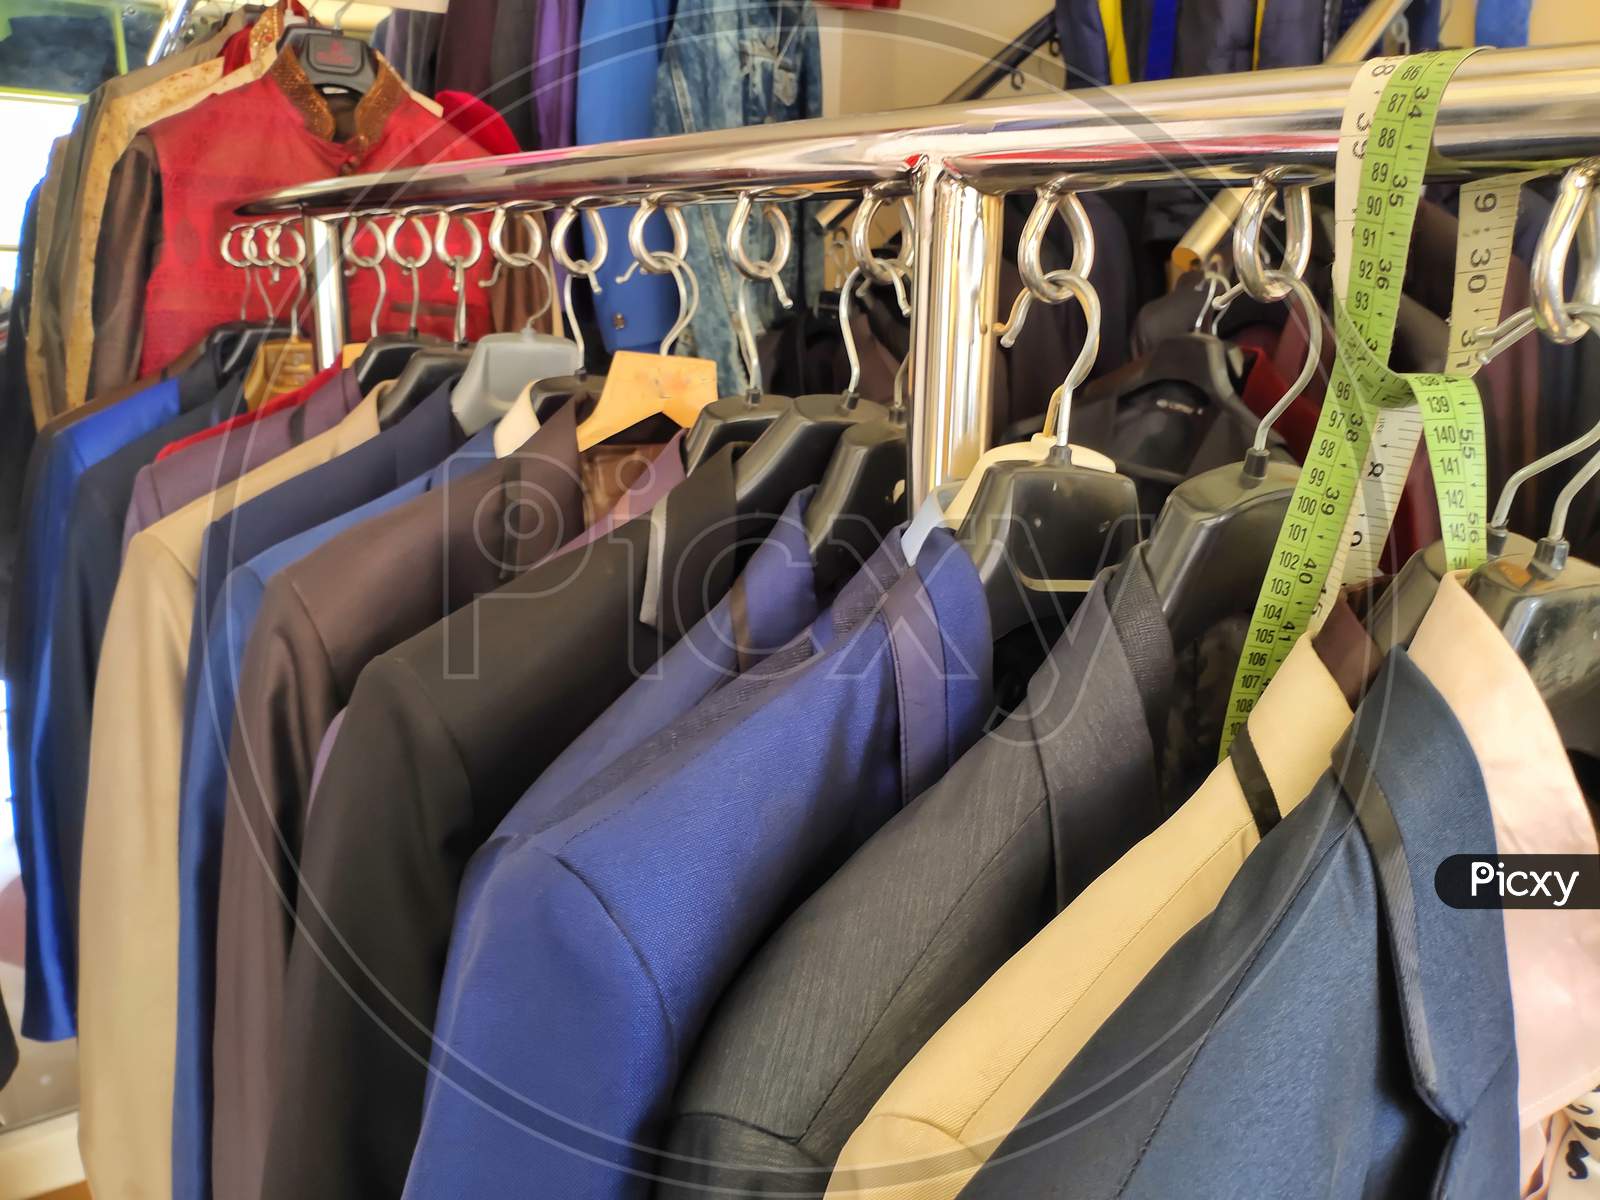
(209, 722)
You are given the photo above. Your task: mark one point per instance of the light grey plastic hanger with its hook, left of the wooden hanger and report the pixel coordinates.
(505, 364)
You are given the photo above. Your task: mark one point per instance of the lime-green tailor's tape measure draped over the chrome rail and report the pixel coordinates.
(1393, 156)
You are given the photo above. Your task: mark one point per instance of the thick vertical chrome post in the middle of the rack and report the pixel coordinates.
(959, 241)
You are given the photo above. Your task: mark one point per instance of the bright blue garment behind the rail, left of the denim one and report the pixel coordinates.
(617, 74)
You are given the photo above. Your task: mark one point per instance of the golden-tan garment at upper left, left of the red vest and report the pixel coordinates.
(121, 122)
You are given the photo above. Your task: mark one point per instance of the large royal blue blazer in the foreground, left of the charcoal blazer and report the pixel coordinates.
(596, 934)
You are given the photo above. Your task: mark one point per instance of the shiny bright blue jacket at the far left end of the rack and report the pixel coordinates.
(49, 1007)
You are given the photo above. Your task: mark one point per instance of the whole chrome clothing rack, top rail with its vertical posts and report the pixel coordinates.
(959, 161)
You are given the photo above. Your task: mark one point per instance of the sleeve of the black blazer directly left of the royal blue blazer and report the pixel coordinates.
(382, 866)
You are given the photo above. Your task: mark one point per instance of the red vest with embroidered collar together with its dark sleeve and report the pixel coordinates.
(162, 284)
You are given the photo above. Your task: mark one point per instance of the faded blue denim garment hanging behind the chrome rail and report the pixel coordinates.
(726, 68)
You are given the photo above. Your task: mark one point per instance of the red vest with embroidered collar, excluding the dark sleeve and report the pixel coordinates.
(278, 134)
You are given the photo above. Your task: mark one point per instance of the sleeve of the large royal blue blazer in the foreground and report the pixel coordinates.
(553, 1041)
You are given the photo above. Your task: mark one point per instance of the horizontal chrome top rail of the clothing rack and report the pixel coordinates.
(1503, 106)
